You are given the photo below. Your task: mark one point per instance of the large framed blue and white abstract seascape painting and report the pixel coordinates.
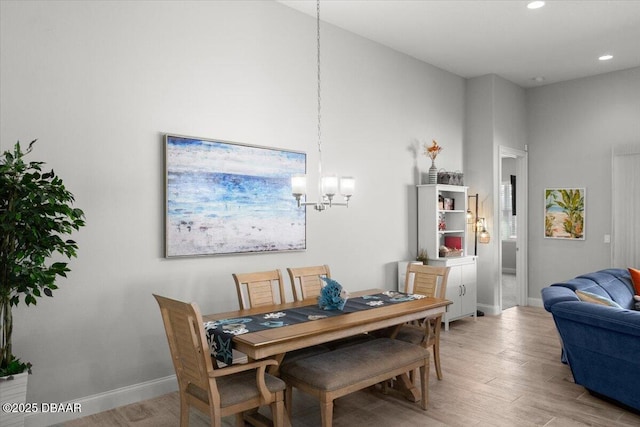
(226, 198)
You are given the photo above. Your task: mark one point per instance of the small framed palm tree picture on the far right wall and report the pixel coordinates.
(564, 213)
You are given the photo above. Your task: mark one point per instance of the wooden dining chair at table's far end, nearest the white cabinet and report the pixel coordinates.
(430, 281)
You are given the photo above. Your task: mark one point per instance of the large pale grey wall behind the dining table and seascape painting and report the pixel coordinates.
(100, 82)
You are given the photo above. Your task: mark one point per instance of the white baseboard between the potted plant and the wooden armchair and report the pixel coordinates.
(104, 401)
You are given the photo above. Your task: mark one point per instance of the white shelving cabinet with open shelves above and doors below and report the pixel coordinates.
(462, 282)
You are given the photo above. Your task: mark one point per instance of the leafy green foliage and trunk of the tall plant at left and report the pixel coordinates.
(36, 213)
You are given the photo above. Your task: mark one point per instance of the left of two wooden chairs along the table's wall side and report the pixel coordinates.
(259, 288)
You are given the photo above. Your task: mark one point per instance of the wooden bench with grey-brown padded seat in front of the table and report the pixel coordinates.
(339, 372)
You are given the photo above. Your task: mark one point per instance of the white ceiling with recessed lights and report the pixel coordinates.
(561, 41)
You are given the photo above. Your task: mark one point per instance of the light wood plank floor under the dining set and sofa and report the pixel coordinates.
(498, 371)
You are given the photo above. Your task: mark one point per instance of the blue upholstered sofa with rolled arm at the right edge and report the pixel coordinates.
(600, 343)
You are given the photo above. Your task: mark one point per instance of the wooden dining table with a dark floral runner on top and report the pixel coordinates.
(276, 342)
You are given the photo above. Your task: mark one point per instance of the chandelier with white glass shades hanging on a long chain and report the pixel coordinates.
(328, 185)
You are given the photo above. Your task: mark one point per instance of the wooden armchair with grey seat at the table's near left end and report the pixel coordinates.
(216, 392)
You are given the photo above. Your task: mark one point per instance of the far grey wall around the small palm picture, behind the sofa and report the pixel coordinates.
(572, 127)
